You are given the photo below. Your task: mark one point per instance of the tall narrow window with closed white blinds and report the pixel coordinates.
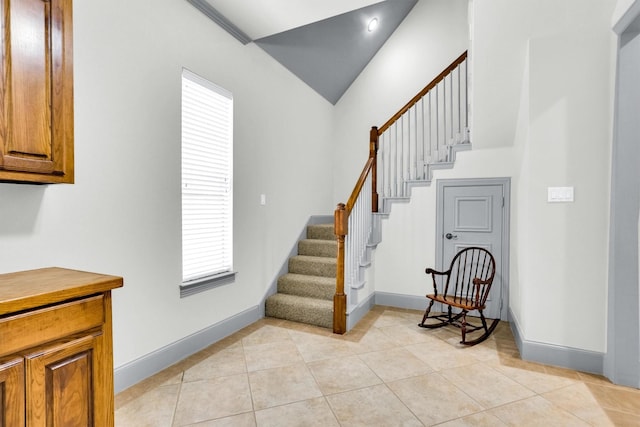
(207, 190)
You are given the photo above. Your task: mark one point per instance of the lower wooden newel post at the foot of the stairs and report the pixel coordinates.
(341, 227)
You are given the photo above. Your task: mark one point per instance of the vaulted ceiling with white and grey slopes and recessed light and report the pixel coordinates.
(326, 43)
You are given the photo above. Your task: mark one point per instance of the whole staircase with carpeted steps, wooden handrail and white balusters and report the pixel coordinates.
(325, 282)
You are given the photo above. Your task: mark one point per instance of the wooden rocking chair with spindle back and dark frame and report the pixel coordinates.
(466, 287)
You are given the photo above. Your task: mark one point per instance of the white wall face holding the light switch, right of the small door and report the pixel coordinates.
(569, 145)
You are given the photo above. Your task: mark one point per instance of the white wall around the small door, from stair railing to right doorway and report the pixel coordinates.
(542, 77)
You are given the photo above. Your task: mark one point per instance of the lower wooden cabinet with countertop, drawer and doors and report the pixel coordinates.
(56, 361)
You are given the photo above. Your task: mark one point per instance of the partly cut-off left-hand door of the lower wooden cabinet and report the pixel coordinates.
(12, 392)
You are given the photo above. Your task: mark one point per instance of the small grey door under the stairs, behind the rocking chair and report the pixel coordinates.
(472, 214)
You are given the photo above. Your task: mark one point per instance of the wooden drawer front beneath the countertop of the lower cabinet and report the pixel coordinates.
(37, 327)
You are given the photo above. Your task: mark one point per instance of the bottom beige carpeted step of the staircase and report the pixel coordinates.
(300, 309)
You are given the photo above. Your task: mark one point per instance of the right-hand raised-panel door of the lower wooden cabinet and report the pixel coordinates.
(61, 382)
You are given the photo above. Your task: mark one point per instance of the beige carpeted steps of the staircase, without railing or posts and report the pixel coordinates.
(305, 293)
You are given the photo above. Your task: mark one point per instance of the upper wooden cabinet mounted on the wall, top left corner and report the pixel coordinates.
(36, 92)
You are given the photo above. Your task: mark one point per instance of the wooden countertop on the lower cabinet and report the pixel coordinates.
(24, 290)
